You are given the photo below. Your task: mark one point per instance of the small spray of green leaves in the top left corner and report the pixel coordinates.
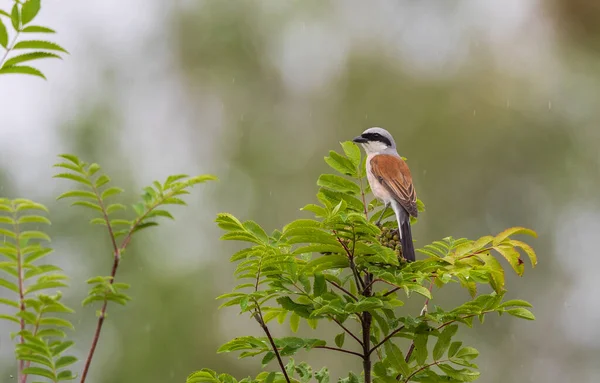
(19, 19)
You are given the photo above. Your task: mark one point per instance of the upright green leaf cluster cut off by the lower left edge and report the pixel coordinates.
(38, 315)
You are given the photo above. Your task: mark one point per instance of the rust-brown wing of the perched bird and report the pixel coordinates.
(393, 173)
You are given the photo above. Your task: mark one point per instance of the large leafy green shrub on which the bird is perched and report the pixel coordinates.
(340, 267)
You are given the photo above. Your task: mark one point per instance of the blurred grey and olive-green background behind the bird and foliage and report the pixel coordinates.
(495, 104)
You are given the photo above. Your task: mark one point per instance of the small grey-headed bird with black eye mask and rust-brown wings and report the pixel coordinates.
(391, 182)
